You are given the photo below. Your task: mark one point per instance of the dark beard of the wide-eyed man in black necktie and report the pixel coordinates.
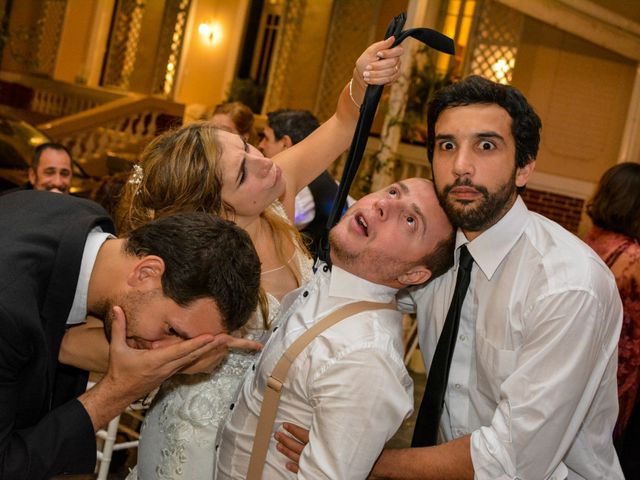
(483, 216)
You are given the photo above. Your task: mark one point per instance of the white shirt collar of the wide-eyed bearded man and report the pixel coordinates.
(492, 246)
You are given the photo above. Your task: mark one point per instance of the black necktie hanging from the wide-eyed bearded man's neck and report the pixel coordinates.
(425, 433)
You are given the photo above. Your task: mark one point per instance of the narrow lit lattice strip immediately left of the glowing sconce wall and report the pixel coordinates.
(170, 46)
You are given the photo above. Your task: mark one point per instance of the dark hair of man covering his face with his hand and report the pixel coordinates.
(205, 257)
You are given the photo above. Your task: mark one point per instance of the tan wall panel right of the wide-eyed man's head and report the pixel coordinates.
(581, 92)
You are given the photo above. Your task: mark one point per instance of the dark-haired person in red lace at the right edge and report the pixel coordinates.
(615, 212)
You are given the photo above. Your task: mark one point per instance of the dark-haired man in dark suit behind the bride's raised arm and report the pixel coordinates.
(284, 129)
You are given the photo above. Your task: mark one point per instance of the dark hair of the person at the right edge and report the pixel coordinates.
(616, 203)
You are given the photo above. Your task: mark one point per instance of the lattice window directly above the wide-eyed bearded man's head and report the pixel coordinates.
(495, 42)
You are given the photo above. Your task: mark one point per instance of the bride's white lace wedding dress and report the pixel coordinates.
(180, 428)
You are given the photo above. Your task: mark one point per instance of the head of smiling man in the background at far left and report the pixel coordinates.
(51, 168)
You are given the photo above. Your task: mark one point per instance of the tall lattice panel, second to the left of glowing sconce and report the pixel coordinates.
(123, 43)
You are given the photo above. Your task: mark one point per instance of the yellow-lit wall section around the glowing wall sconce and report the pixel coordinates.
(207, 70)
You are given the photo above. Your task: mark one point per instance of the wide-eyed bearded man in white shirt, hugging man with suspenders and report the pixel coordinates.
(531, 391)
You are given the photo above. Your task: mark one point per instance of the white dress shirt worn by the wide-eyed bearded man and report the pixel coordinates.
(533, 376)
